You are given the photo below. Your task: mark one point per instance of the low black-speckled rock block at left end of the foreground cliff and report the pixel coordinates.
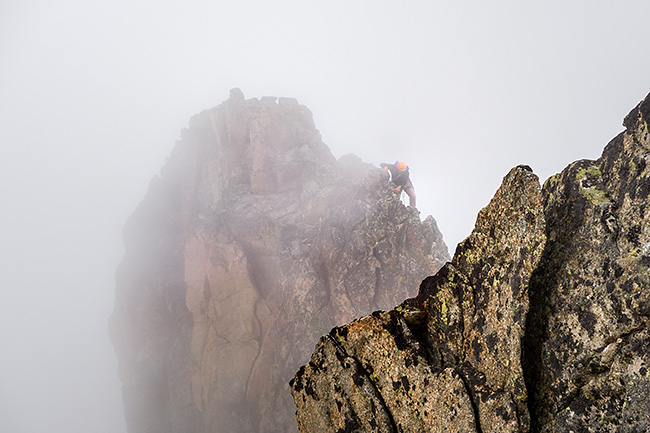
(375, 346)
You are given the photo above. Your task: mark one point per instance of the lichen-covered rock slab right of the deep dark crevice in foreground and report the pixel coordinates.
(587, 340)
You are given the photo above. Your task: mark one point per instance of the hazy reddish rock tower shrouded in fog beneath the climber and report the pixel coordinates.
(252, 243)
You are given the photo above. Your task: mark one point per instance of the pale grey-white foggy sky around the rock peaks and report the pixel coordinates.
(93, 95)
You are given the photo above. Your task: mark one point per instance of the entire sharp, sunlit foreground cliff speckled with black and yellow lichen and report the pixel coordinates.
(539, 323)
